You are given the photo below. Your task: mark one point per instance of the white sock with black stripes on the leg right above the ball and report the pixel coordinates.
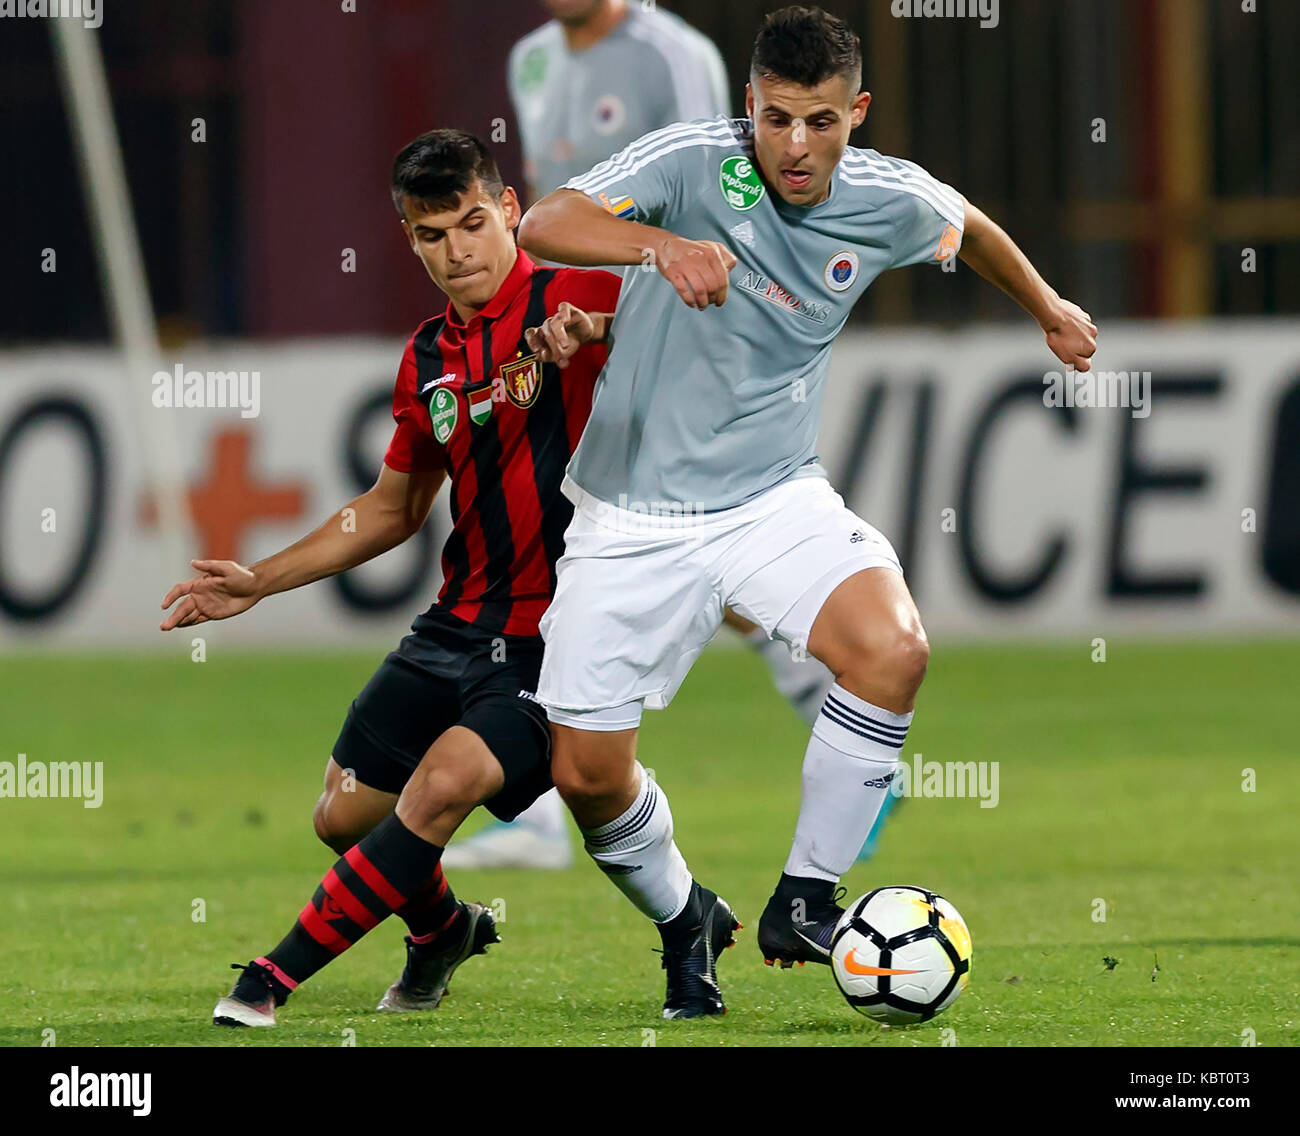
(852, 758)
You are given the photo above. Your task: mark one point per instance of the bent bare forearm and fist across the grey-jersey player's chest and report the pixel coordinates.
(570, 228)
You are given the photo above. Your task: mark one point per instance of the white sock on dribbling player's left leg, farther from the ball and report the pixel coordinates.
(638, 853)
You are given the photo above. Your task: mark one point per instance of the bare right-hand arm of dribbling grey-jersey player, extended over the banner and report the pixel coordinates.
(1069, 329)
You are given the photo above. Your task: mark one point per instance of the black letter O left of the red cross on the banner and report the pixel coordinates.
(70, 411)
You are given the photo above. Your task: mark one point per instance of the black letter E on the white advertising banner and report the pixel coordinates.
(1138, 478)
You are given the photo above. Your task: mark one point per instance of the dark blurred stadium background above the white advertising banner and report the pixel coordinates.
(306, 106)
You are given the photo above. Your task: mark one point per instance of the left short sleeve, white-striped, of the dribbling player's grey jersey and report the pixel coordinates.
(644, 183)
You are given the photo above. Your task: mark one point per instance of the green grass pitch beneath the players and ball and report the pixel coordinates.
(1119, 782)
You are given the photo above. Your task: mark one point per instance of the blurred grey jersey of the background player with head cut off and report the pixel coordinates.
(577, 109)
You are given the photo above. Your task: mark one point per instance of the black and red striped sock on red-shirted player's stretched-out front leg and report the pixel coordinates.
(367, 884)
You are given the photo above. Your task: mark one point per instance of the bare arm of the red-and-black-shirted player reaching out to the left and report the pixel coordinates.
(380, 519)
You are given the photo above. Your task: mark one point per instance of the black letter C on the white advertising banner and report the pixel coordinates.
(1004, 589)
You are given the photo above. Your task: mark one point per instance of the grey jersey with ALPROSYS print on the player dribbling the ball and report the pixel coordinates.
(707, 410)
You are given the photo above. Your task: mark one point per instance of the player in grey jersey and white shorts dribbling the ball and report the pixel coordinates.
(696, 484)
